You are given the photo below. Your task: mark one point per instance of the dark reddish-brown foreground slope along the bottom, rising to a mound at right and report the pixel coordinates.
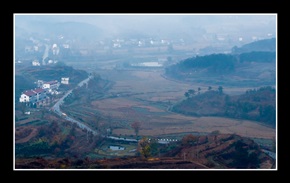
(214, 151)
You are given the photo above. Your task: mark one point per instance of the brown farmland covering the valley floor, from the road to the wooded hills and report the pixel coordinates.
(145, 96)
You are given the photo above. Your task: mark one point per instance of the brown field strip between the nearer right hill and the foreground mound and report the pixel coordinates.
(203, 125)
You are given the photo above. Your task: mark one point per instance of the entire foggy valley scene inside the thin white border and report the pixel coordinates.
(145, 91)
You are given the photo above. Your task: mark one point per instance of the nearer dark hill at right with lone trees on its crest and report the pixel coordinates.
(258, 105)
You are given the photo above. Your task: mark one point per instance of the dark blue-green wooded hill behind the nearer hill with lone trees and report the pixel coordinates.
(255, 68)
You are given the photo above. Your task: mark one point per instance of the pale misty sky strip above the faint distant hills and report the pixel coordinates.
(159, 24)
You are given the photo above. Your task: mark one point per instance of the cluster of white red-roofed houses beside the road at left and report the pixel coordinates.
(38, 96)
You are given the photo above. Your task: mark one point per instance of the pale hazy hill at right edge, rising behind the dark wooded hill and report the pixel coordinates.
(261, 45)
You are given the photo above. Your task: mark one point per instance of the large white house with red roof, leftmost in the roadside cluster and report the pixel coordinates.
(33, 96)
